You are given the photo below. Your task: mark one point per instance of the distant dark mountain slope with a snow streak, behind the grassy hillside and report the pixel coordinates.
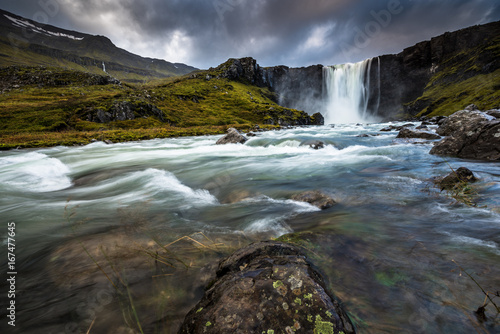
(26, 42)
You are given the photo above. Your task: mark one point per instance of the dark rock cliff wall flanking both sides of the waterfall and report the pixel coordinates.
(400, 83)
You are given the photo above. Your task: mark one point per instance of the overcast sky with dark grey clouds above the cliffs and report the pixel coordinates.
(205, 33)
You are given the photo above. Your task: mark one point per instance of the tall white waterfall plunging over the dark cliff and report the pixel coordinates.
(347, 89)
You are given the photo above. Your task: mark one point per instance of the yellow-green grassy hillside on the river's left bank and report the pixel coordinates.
(42, 106)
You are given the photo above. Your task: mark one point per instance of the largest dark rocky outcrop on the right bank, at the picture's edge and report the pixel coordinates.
(471, 135)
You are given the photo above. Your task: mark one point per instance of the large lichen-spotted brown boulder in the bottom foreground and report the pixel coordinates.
(267, 287)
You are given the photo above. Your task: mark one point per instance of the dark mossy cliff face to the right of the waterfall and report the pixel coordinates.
(452, 57)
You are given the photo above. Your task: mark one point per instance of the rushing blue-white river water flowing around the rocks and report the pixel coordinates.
(99, 228)
